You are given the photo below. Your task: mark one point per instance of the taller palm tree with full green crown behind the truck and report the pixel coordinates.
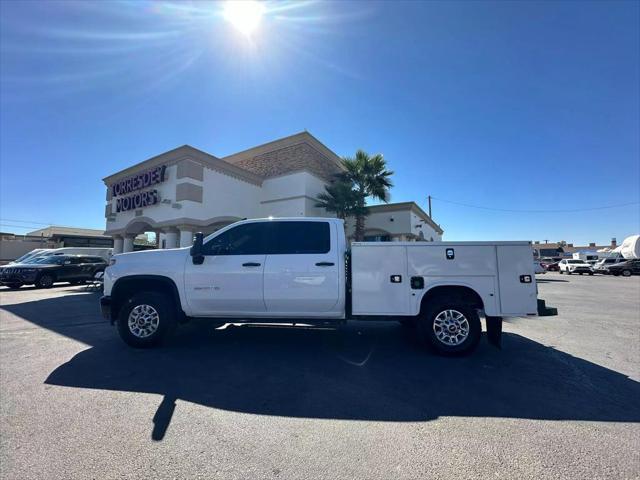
(370, 178)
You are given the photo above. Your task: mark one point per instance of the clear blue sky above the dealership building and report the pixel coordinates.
(506, 105)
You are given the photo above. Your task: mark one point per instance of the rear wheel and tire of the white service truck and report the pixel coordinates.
(450, 327)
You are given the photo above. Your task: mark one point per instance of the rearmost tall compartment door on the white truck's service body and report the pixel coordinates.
(517, 298)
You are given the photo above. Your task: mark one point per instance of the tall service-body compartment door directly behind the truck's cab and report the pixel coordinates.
(373, 290)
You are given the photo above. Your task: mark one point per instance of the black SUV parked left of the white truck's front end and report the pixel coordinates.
(43, 272)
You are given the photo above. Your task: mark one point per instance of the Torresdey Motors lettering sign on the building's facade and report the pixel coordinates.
(128, 189)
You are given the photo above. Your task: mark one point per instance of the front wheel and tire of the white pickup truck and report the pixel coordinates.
(146, 319)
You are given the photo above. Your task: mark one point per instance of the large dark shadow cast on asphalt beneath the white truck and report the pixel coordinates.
(363, 371)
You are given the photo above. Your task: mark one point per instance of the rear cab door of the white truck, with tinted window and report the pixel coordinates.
(301, 275)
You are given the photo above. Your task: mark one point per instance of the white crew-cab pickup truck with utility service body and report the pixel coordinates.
(298, 270)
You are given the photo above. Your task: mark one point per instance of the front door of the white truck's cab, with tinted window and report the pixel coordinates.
(230, 280)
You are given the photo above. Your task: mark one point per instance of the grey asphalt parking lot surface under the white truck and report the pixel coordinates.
(560, 400)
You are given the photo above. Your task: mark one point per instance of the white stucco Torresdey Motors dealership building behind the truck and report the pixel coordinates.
(186, 190)
